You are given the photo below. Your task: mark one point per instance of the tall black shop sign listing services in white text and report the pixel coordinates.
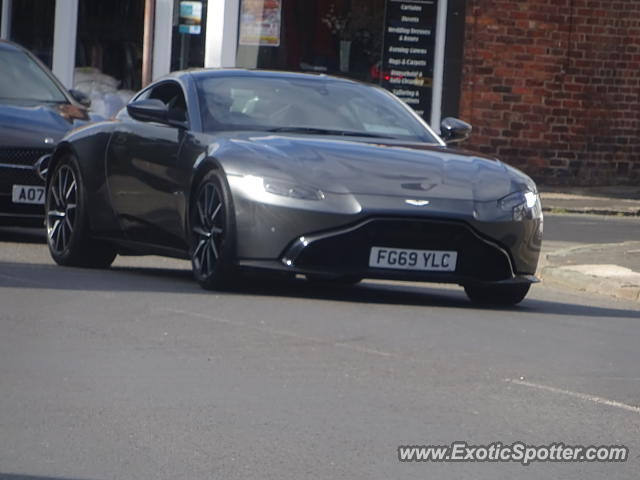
(409, 44)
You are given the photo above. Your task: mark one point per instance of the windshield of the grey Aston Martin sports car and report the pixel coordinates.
(311, 106)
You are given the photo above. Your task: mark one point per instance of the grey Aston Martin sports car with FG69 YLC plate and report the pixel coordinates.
(304, 174)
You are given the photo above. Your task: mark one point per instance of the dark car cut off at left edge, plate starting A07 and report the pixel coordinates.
(35, 113)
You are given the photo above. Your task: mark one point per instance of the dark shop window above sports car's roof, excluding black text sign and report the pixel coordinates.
(340, 37)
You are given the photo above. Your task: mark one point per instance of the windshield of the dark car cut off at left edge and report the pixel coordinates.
(22, 79)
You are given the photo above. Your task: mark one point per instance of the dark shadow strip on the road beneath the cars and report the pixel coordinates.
(180, 281)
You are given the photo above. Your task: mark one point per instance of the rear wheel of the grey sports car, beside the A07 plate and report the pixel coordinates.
(67, 223)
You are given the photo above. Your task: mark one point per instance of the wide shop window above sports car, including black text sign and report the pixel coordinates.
(387, 42)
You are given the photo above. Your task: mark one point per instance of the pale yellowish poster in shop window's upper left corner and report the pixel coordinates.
(260, 22)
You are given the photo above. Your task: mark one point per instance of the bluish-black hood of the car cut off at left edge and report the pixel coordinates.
(37, 126)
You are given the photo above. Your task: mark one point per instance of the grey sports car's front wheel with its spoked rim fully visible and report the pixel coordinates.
(212, 233)
